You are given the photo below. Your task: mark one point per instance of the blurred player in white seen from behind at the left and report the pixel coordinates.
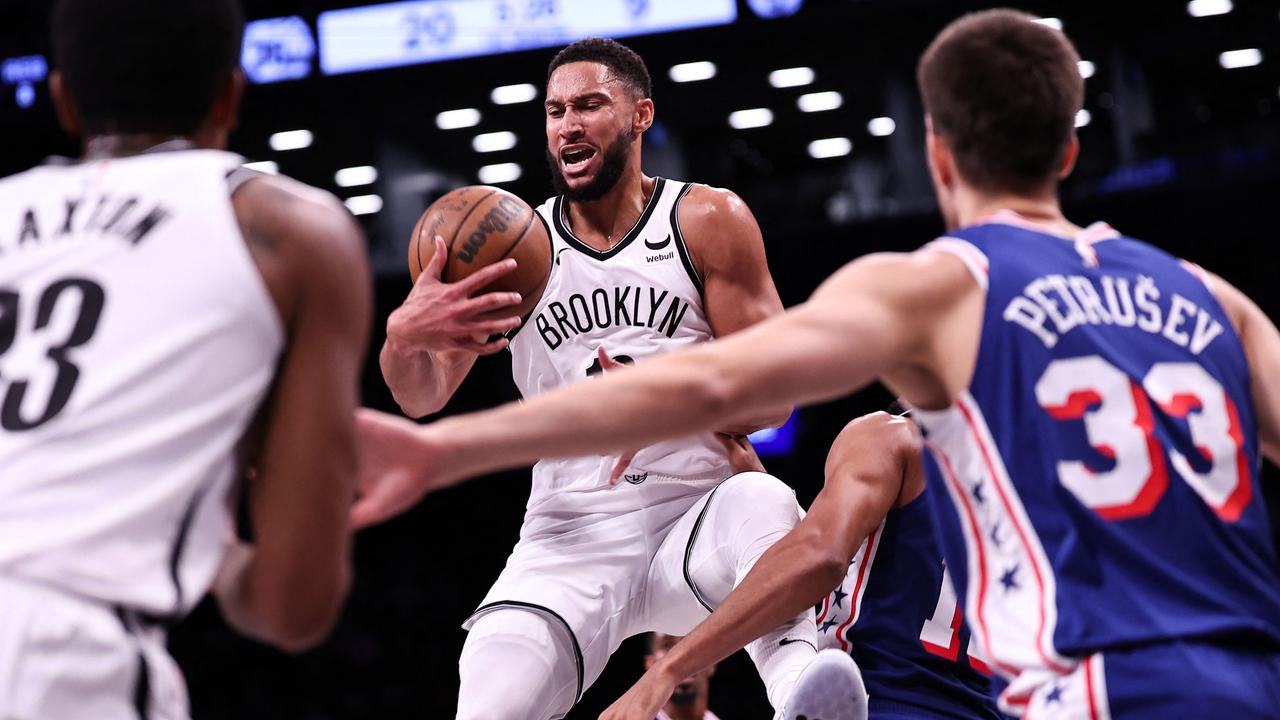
(167, 322)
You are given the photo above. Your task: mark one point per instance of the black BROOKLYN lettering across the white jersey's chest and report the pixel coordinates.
(661, 311)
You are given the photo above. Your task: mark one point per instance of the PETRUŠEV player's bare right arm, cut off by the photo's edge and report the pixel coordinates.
(1263, 349)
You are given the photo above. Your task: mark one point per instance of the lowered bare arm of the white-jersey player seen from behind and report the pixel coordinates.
(313, 257)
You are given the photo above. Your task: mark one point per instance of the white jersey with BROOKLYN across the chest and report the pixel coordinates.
(639, 299)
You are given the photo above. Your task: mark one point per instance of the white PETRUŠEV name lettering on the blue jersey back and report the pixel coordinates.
(1052, 307)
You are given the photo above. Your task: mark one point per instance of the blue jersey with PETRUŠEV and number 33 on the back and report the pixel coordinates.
(1098, 486)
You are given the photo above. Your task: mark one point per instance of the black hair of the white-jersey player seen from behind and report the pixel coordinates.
(147, 66)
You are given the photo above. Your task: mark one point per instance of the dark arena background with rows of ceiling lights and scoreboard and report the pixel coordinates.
(807, 110)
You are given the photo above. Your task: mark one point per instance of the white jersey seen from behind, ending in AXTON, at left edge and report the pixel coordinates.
(138, 340)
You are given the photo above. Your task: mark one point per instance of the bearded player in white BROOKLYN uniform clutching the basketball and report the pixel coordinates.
(641, 267)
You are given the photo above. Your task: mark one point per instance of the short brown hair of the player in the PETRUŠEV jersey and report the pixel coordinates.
(1003, 92)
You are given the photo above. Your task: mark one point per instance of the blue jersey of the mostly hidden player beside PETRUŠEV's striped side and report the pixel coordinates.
(897, 616)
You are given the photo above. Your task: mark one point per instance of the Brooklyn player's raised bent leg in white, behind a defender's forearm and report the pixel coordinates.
(711, 550)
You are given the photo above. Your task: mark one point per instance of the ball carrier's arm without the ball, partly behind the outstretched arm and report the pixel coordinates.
(738, 290)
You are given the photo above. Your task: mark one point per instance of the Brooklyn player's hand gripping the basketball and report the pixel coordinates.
(440, 316)
